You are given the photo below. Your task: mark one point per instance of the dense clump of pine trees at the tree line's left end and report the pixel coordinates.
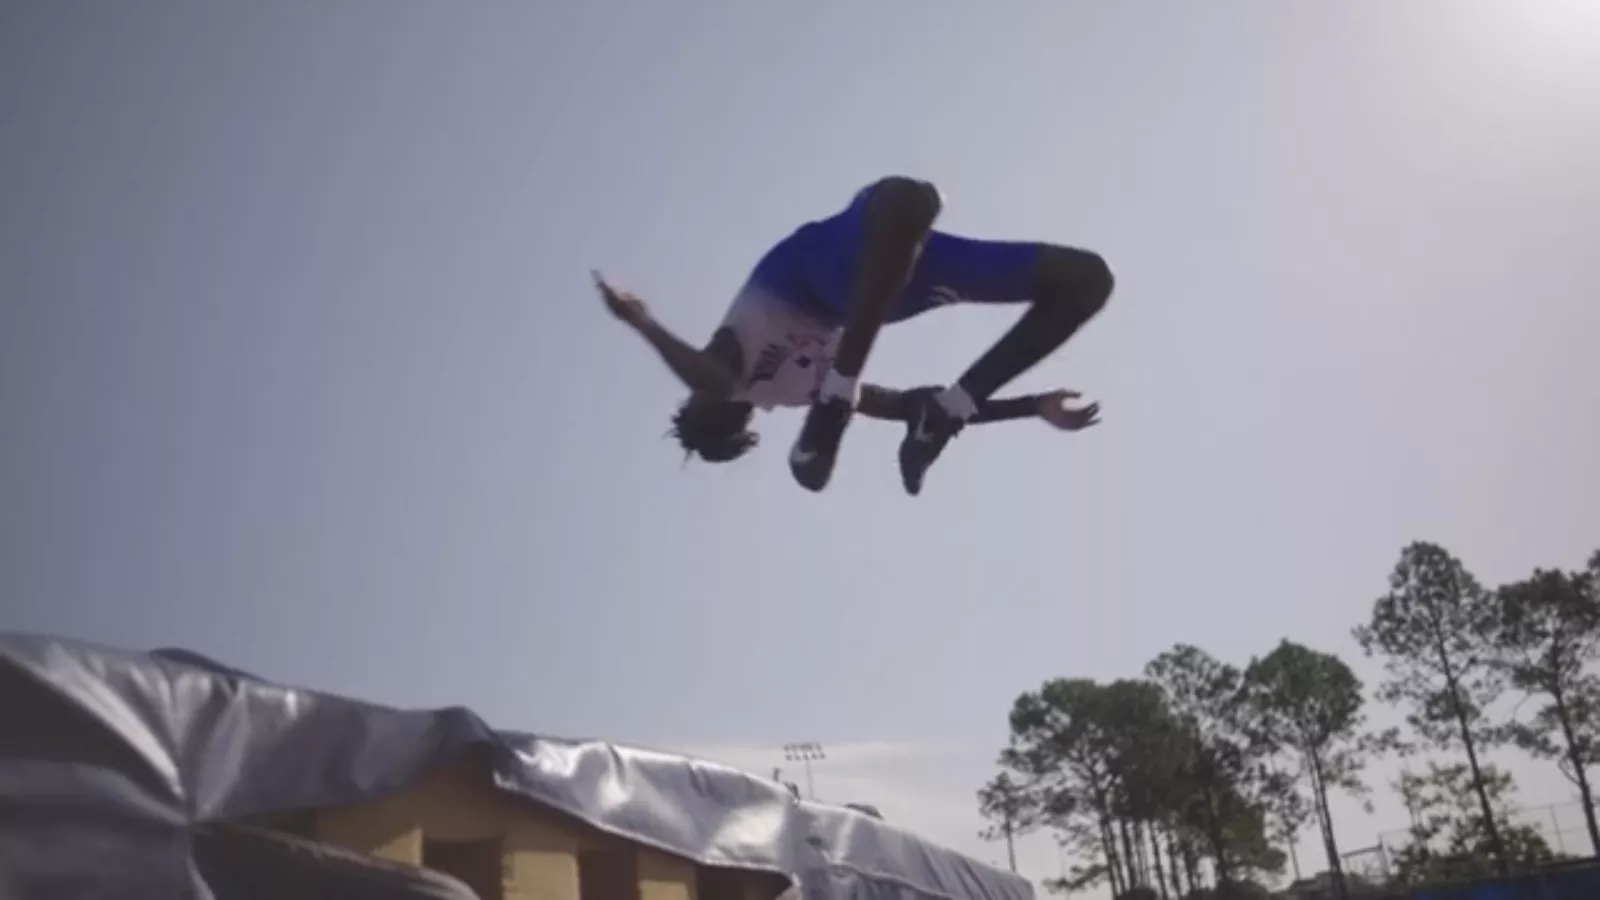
(1140, 773)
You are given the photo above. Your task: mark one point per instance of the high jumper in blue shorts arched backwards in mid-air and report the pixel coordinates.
(802, 327)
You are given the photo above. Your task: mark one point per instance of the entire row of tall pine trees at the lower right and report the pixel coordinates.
(1199, 763)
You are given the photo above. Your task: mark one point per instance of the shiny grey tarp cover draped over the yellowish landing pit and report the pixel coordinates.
(134, 753)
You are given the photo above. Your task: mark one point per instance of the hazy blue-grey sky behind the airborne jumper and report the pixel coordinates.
(302, 368)
